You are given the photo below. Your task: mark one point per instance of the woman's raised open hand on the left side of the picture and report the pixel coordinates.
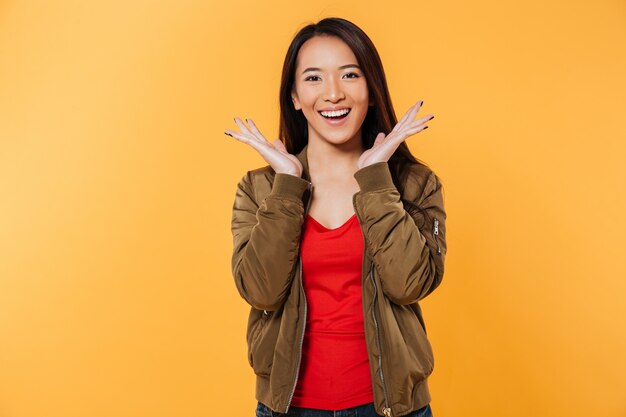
(274, 153)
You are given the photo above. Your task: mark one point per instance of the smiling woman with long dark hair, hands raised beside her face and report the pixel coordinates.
(337, 239)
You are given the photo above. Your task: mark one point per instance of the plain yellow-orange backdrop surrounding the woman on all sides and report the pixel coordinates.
(117, 182)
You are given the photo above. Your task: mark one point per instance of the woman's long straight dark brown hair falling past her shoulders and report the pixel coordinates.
(293, 129)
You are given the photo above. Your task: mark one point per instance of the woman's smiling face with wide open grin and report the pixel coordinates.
(328, 78)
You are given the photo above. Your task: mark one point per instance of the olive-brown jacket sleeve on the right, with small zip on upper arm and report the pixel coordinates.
(408, 258)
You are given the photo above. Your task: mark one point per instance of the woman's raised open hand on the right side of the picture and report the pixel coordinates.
(385, 146)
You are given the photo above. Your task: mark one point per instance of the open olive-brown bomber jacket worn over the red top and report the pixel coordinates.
(403, 262)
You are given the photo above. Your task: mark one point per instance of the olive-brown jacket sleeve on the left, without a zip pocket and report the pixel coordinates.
(266, 239)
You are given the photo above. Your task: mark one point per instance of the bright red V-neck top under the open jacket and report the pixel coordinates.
(334, 371)
